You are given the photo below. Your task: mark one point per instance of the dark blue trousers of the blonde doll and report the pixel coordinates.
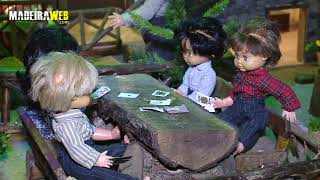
(74, 169)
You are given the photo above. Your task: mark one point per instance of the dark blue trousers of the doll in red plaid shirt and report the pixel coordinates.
(250, 116)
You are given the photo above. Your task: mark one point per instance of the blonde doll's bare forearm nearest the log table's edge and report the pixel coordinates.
(105, 134)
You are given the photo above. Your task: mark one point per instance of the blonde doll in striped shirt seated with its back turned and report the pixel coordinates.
(57, 80)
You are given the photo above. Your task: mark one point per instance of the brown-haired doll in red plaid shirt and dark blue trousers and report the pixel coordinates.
(256, 45)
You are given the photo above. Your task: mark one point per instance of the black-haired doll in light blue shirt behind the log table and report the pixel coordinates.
(201, 39)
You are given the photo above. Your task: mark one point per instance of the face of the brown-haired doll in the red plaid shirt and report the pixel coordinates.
(246, 61)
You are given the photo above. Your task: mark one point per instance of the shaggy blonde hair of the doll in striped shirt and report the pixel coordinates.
(57, 78)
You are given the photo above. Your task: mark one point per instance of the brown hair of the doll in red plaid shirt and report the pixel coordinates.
(260, 38)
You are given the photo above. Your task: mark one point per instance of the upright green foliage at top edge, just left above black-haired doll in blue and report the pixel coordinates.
(175, 12)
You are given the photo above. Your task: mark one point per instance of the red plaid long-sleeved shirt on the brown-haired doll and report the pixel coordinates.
(258, 82)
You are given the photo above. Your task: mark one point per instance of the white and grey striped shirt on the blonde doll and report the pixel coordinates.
(72, 128)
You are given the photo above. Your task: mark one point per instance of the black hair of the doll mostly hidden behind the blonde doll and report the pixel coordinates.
(43, 41)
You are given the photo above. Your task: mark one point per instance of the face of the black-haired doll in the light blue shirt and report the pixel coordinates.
(189, 57)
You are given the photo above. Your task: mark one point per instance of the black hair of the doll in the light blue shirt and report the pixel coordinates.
(205, 34)
